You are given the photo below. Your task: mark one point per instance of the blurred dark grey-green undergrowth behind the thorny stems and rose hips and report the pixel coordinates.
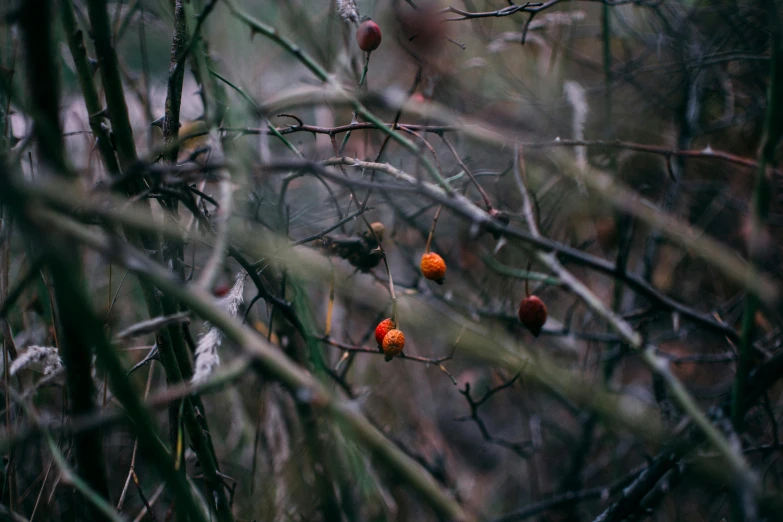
(642, 80)
